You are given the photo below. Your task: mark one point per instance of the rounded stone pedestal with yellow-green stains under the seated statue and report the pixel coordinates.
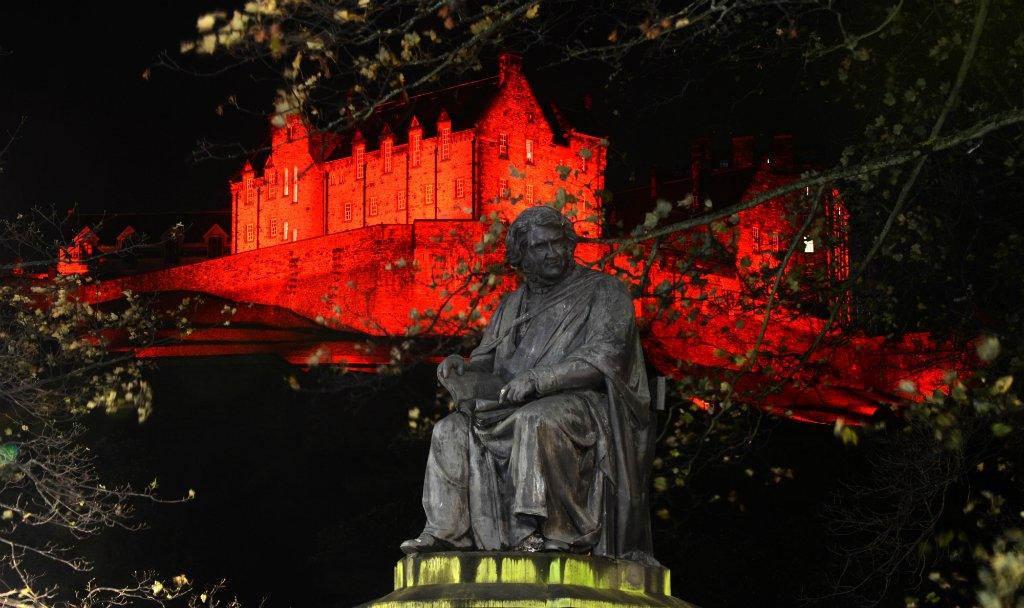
(478, 580)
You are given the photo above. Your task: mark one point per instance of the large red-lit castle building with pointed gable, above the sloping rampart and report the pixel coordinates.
(442, 156)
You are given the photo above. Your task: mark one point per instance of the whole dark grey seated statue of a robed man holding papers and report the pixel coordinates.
(551, 447)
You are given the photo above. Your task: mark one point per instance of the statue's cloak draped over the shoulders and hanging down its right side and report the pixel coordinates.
(589, 317)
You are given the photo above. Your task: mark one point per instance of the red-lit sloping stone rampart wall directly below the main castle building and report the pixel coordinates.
(365, 280)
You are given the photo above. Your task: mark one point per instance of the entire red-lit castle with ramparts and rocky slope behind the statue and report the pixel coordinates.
(358, 232)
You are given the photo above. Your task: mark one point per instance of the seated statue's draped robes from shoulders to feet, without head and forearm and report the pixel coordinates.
(577, 461)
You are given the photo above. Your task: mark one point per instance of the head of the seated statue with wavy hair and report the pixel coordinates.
(541, 243)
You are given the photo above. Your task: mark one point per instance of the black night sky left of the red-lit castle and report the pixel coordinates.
(97, 135)
